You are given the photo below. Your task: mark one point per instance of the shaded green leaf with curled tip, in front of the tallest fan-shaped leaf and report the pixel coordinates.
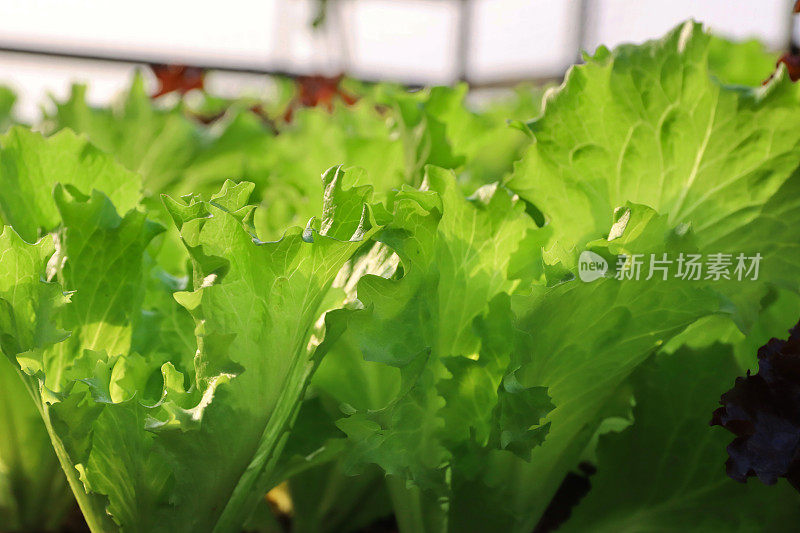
(581, 341)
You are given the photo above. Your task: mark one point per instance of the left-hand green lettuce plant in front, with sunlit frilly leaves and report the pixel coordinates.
(137, 426)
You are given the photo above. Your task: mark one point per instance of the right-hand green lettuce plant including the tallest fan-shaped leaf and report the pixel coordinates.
(641, 151)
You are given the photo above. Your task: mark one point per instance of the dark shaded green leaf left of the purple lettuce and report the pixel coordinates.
(666, 473)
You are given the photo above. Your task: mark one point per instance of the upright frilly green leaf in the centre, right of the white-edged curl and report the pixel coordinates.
(454, 254)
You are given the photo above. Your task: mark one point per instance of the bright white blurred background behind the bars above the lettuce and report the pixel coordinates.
(406, 40)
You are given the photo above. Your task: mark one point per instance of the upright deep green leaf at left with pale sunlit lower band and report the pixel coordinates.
(101, 255)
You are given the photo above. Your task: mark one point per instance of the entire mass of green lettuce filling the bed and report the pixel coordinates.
(429, 341)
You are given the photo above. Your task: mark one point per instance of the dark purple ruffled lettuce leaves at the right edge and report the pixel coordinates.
(763, 411)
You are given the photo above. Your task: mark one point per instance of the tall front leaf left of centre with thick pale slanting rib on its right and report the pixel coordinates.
(255, 305)
